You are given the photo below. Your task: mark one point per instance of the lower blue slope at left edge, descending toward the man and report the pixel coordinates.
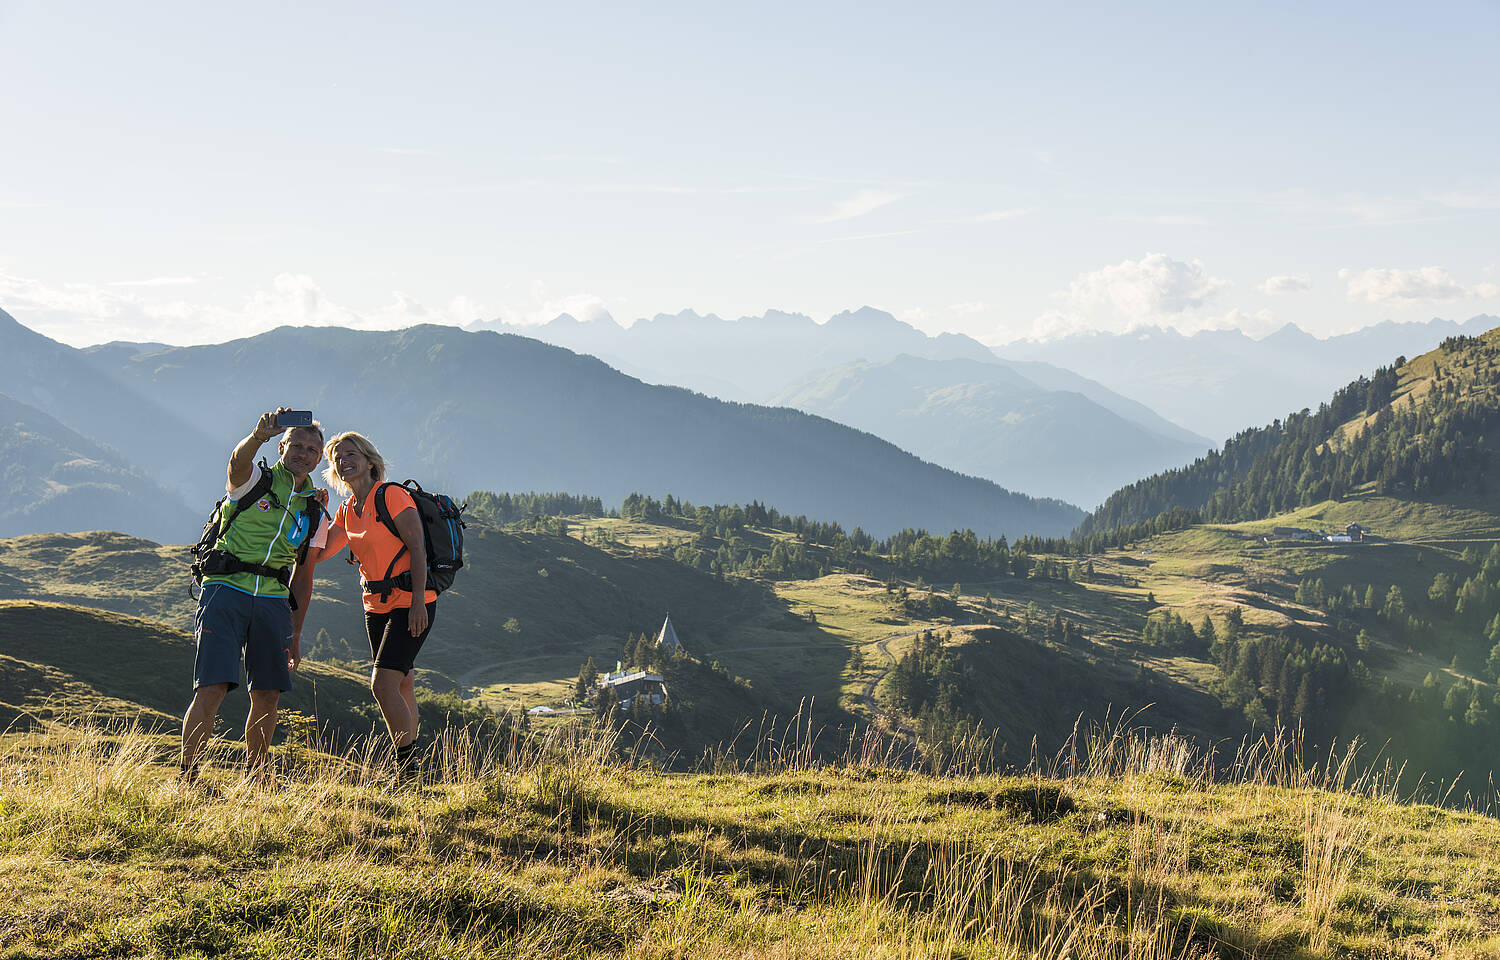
(56, 479)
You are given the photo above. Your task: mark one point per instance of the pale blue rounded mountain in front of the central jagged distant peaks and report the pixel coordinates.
(989, 421)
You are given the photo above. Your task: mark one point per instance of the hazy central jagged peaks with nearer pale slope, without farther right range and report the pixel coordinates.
(788, 359)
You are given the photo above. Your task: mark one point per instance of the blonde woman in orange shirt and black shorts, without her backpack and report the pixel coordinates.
(395, 625)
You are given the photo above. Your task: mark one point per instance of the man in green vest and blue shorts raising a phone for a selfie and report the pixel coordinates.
(254, 592)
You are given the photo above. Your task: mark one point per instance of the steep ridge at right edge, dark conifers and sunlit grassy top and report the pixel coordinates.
(1405, 440)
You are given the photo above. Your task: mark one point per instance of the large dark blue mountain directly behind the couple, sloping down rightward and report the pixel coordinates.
(496, 412)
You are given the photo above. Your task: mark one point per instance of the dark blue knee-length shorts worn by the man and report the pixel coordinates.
(232, 620)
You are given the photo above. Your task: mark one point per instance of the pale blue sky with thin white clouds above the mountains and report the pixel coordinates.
(194, 173)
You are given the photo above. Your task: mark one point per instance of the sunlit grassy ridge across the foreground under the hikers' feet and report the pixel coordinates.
(1127, 845)
